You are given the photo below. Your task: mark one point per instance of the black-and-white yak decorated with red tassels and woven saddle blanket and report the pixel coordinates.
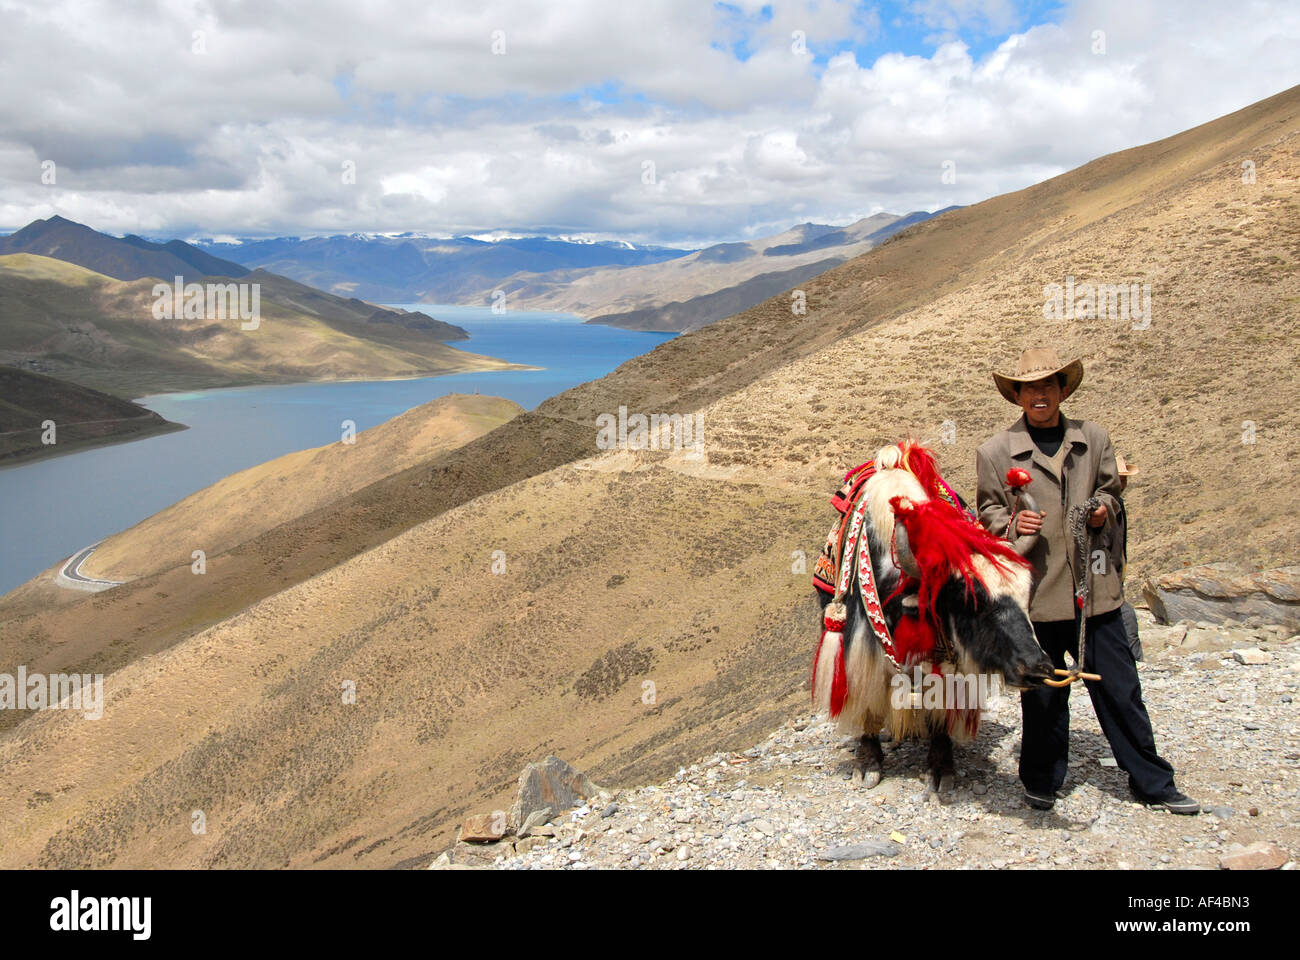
(921, 608)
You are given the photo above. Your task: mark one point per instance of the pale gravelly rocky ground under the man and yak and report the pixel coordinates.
(1230, 729)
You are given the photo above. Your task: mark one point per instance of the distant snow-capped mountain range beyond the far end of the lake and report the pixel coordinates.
(608, 283)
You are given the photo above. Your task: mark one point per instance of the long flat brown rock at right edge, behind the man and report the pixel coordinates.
(1225, 593)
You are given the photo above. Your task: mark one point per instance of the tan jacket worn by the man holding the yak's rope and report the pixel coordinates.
(1090, 470)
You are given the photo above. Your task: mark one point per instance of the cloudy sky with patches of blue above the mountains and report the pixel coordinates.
(677, 122)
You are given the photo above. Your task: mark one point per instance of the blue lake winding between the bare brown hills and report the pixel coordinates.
(51, 509)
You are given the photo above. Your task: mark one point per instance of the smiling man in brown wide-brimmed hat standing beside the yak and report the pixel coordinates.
(1071, 462)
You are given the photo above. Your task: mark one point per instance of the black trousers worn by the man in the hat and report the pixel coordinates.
(1117, 699)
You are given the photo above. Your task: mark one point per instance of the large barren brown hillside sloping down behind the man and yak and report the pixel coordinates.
(647, 609)
